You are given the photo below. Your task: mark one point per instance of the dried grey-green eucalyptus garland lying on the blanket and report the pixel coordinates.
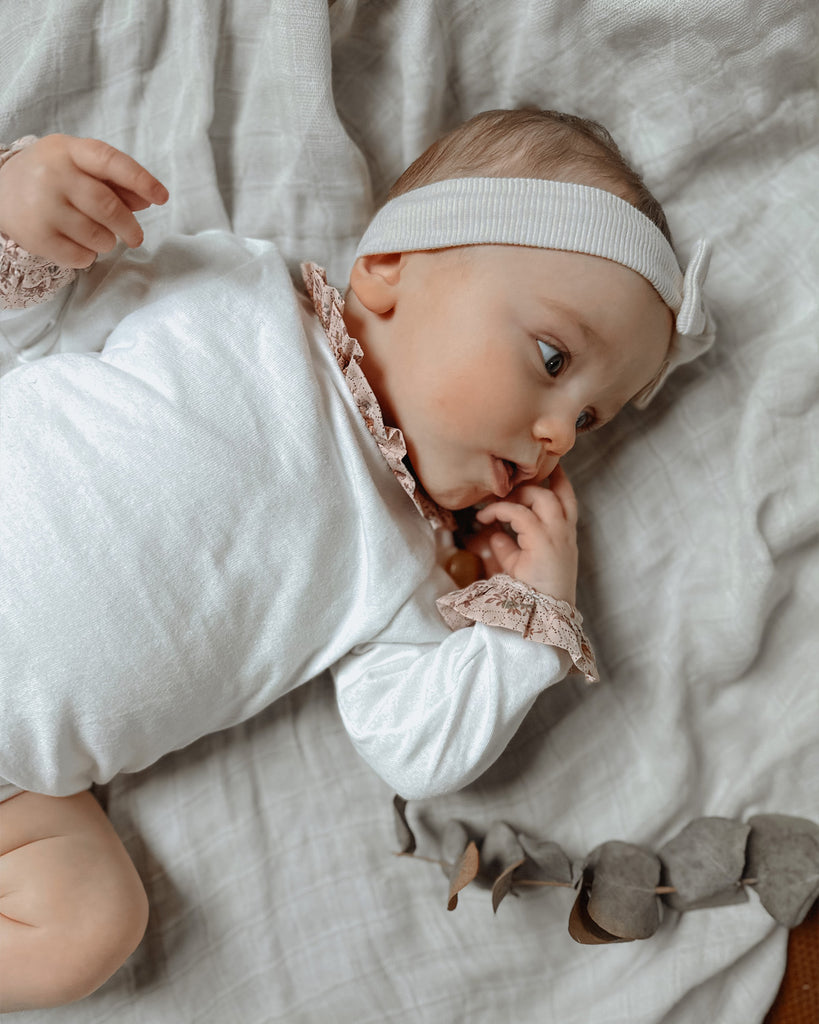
(621, 887)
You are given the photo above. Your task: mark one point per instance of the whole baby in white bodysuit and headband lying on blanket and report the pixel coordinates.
(217, 488)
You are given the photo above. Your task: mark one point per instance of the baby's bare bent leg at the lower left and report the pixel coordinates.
(72, 906)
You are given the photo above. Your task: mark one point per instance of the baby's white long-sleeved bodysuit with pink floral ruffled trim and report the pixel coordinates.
(197, 516)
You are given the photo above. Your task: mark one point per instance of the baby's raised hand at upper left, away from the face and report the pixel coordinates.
(68, 199)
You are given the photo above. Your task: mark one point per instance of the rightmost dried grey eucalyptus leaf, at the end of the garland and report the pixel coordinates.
(784, 857)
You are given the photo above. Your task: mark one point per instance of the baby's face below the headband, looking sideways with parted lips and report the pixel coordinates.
(500, 356)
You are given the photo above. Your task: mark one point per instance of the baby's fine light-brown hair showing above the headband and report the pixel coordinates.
(533, 144)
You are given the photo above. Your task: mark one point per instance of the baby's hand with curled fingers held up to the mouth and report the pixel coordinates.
(546, 523)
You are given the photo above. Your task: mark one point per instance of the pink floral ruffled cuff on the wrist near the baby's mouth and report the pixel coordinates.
(513, 606)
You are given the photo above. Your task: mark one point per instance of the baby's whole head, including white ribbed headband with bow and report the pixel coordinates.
(519, 288)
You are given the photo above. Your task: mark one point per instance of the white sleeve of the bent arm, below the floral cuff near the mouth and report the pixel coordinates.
(432, 710)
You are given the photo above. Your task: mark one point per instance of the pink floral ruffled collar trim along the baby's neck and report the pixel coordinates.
(329, 306)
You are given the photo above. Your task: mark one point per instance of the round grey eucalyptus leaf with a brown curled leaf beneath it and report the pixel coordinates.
(623, 901)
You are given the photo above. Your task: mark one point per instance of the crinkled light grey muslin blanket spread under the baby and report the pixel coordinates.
(267, 849)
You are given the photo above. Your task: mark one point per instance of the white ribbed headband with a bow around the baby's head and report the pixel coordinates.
(552, 216)
